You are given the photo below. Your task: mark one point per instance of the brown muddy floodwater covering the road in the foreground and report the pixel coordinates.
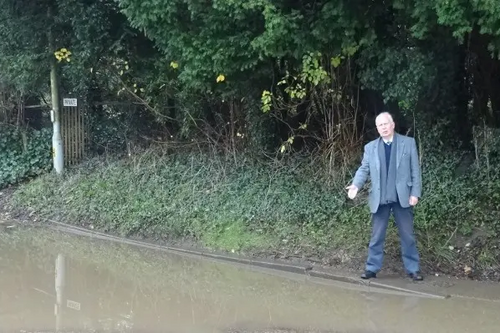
(50, 281)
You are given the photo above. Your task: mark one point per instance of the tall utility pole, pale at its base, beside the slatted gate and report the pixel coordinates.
(57, 144)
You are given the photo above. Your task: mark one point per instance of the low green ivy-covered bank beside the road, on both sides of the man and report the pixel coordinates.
(283, 209)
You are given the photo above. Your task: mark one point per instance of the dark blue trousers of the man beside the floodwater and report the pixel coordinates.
(404, 222)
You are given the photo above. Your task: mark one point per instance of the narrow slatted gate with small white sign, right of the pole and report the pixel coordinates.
(73, 131)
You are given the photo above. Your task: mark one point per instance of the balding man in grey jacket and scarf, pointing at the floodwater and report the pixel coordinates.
(392, 163)
